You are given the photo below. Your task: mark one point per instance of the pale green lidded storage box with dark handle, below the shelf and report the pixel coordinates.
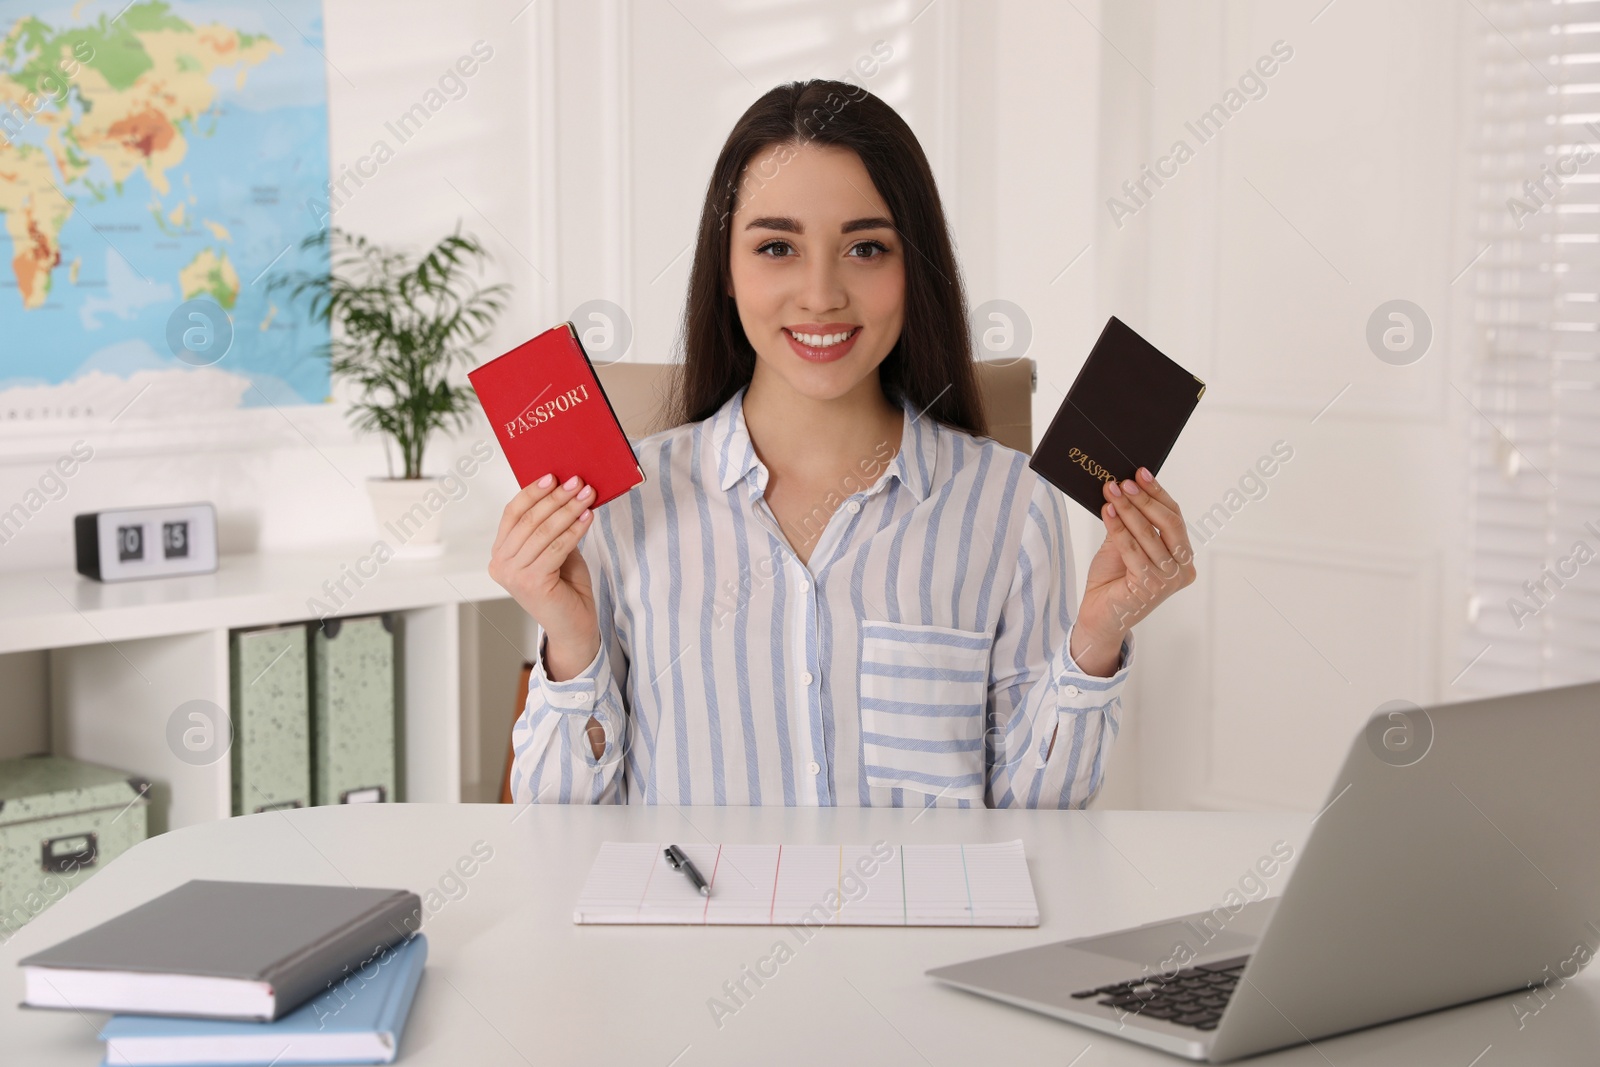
(62, 821)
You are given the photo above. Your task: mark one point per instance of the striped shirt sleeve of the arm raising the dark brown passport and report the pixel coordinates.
(1050, 724)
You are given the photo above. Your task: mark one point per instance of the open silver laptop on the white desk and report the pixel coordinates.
(1454, 860)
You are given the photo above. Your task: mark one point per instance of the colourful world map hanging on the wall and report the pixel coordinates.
(156, 154)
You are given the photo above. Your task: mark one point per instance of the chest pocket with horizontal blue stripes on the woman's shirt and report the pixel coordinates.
(924, 703)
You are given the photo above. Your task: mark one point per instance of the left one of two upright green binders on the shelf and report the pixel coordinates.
(271, 697)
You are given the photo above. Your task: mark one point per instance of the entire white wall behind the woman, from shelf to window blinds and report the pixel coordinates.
(580, 156)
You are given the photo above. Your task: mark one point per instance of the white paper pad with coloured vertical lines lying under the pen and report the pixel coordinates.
(849, 885)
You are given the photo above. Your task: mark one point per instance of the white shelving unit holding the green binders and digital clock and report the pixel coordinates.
(95, 671)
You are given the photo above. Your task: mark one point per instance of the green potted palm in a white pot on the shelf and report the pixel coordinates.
(398, 329)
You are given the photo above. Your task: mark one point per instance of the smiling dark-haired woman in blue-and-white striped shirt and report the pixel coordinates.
(831, 588)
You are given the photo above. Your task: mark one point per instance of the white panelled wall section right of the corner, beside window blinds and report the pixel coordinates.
(1258, 268)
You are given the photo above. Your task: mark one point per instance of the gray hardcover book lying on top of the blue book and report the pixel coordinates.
(222, 951)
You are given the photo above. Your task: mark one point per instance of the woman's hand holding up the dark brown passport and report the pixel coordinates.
(1145, 559)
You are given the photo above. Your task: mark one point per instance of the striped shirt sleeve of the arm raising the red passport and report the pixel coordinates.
(554, 761)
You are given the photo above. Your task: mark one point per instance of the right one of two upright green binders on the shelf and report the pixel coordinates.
(354, 711)
